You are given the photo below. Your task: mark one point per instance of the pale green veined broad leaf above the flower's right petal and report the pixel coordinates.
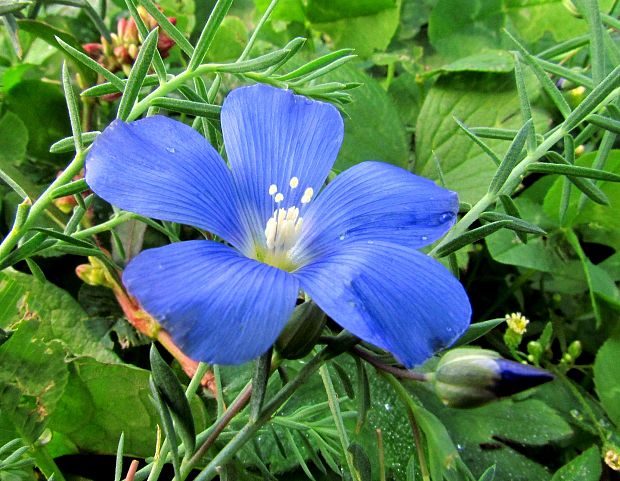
(477, 100)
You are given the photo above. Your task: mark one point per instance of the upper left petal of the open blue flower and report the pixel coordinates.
(162, 168)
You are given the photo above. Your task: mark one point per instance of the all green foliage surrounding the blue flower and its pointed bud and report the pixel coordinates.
(513, 104)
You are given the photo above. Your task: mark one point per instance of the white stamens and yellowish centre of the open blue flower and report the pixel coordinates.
(284, 227)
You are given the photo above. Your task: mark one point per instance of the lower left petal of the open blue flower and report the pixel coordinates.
(218, 306)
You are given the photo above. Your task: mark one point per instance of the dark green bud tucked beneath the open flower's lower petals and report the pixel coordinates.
(302, 331)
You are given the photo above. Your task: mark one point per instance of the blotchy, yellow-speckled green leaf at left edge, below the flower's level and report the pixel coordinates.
(32, 380)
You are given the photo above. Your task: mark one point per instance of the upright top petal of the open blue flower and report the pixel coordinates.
(272, 135)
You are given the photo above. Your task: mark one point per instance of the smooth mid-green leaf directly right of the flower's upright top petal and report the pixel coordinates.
(373, 130)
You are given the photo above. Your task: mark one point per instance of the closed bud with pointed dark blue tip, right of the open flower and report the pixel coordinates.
(468, 377)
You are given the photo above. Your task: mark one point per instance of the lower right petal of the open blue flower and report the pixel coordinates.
(392, 296)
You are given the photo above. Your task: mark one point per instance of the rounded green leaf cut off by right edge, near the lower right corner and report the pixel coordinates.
(606, 374)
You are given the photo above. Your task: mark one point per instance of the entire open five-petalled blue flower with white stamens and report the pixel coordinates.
(351, 246)
